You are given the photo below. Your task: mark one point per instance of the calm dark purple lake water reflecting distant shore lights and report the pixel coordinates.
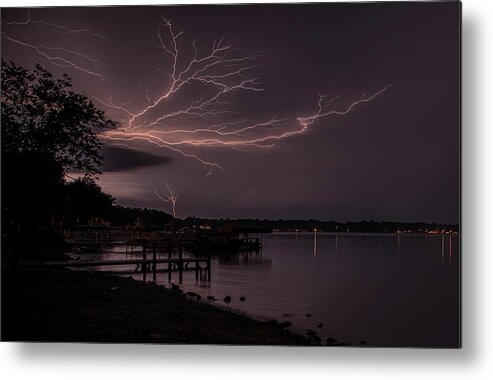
(385, 289)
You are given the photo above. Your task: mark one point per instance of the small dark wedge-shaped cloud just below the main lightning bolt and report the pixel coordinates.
(119, 159)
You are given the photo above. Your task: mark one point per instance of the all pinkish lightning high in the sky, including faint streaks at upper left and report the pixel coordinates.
(207, 119)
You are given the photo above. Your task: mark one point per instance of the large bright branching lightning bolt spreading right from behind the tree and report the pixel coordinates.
(219, 73)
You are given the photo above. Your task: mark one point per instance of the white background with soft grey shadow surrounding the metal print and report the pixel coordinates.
(81, 361)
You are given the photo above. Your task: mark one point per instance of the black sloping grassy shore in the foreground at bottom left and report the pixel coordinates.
(69, 306)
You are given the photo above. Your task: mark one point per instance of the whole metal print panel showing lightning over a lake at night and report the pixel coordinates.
(281, 174)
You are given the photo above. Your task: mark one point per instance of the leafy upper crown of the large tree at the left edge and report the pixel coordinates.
(41, 114)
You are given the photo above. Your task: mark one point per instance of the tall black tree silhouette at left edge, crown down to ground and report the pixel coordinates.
(48, 130)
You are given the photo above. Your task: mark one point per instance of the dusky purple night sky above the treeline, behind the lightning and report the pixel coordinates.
(393, 157)
